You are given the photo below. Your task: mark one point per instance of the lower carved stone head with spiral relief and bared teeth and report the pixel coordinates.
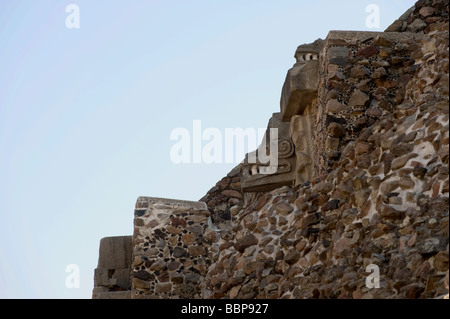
(254, 174)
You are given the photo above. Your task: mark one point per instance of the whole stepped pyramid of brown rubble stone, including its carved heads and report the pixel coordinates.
(362, 183)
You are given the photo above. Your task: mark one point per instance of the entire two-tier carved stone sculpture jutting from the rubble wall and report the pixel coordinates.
(294, 159)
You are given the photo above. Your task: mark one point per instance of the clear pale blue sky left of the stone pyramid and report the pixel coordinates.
(86, 113)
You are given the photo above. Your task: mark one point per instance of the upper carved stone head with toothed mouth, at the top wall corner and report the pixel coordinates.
(302, 80)
